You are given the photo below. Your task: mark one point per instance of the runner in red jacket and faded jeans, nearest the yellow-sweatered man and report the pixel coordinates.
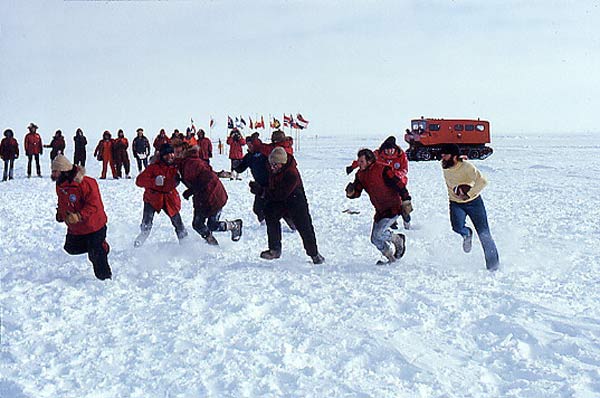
(390, 198)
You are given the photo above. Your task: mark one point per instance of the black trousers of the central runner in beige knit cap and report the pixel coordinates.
(296, 207)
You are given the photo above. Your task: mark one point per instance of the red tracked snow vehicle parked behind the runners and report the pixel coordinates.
(426, 136)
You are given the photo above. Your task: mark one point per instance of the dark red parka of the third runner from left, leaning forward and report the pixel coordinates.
(208, 190)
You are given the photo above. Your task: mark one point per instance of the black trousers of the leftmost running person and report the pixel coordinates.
(95, 246)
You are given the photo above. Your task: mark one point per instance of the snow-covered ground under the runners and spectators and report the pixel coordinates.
(194, 321)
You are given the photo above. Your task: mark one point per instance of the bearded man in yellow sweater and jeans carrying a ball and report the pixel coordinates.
(465, 183)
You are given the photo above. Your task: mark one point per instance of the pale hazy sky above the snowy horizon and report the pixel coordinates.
(349, 67)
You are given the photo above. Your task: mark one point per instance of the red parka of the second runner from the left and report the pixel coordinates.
(163, 197)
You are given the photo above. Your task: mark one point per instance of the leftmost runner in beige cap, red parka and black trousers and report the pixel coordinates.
(80, 207)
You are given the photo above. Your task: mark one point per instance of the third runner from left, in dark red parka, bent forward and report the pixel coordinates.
(209, 197)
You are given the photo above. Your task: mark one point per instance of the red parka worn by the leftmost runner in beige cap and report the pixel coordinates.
(82, 196)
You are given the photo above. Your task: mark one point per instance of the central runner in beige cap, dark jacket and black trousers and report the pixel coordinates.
(285, 195)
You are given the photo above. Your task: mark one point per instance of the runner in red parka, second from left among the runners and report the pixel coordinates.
(159, 181)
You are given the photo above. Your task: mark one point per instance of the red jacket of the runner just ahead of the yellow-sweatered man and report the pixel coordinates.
(383, 187)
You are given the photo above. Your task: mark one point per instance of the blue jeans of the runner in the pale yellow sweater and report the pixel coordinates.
(475, 209)
